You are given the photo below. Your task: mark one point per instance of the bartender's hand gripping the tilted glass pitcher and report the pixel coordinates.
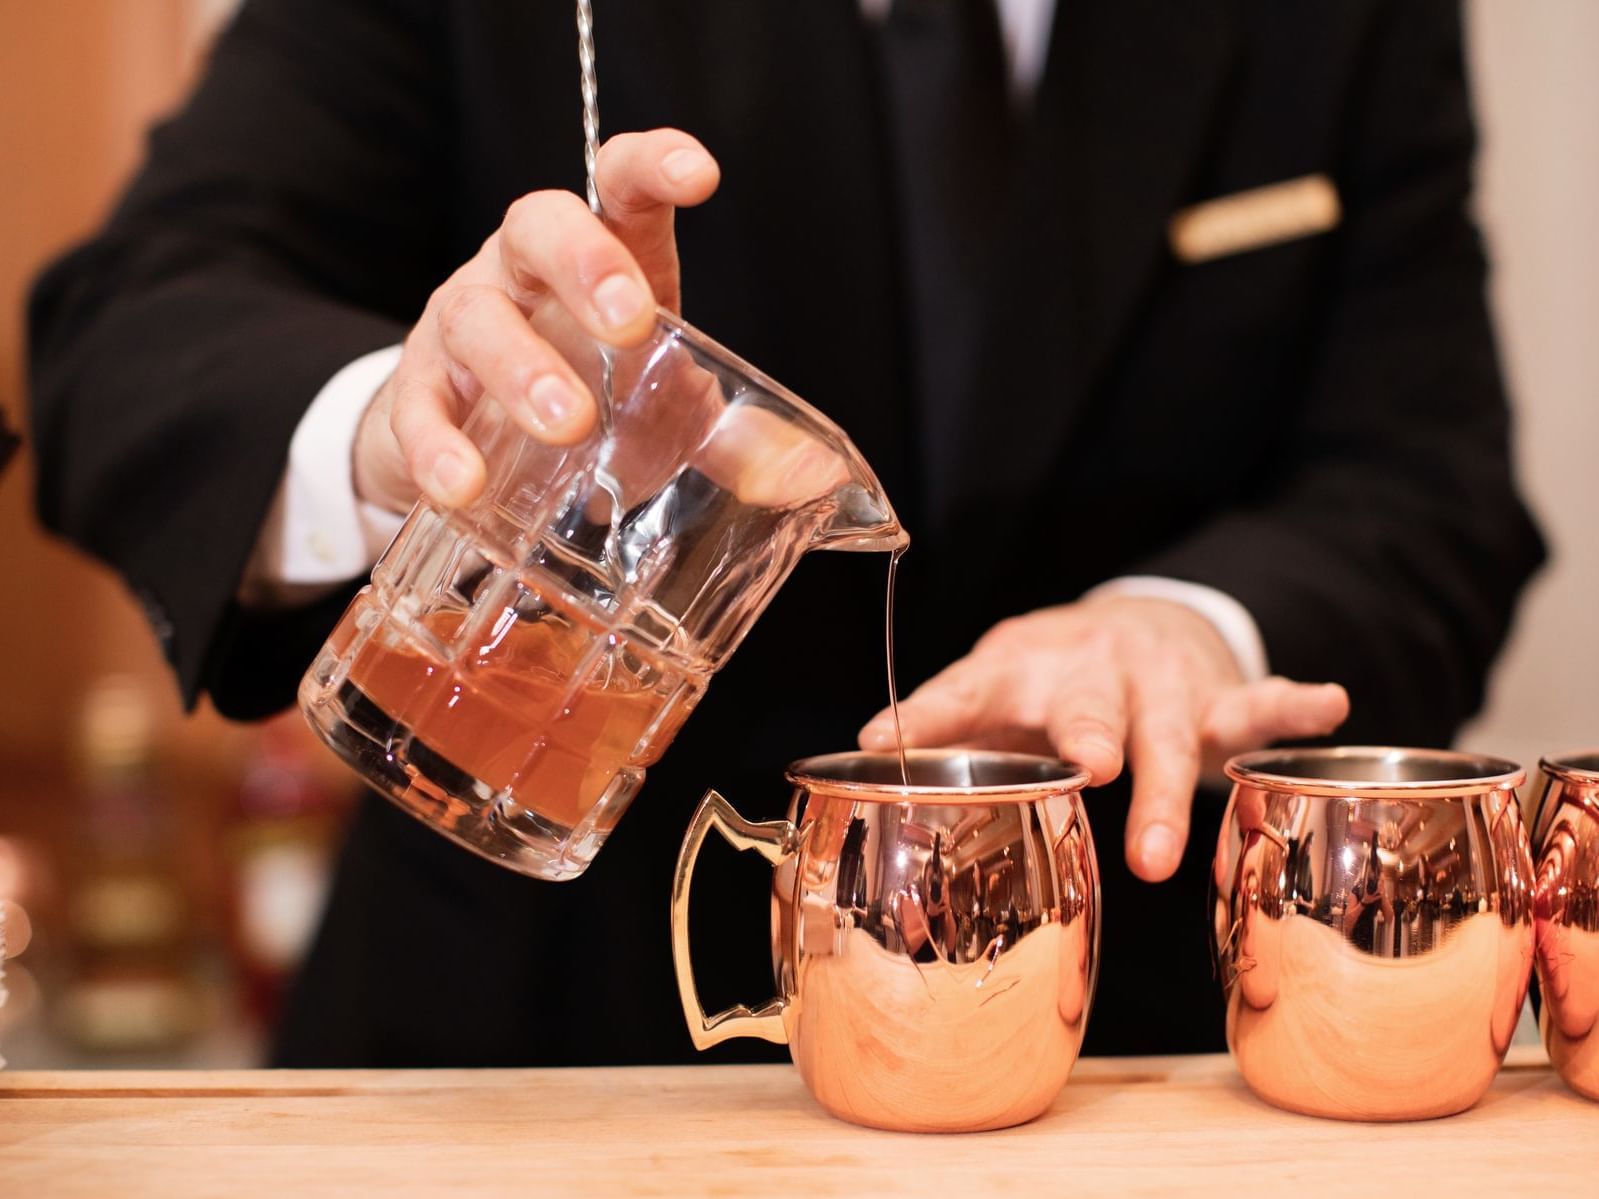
(474, 337)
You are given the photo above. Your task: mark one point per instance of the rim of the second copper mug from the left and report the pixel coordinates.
(1374, 771)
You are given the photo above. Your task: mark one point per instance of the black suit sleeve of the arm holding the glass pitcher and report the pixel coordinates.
(285, 223)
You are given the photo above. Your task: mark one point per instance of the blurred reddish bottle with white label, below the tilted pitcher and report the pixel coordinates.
(281, 851)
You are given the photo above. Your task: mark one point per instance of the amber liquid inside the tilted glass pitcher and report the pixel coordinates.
(546, 717)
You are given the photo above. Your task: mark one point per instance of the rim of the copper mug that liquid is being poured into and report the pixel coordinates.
(991, 775)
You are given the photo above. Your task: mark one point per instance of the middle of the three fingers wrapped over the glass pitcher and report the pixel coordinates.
(487, 335)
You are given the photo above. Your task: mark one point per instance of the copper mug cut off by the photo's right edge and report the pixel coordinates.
(1566, 914)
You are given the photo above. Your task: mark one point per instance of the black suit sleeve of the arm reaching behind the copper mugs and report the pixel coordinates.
(1386, 546)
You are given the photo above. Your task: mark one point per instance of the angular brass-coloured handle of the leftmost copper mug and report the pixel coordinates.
(773, 840)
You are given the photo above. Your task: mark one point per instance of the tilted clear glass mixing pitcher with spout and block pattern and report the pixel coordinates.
(516, 666)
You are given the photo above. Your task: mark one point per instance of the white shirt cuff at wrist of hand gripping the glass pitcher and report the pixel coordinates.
(317, 533)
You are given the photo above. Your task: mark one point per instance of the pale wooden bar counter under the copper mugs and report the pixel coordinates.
(1128, 1126)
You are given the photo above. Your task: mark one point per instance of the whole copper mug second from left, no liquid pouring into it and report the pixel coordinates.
(1373, 928)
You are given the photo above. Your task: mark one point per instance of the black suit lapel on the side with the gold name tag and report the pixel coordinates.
(1119, 125)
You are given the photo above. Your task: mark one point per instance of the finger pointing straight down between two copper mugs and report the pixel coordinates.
(1165, 749)
